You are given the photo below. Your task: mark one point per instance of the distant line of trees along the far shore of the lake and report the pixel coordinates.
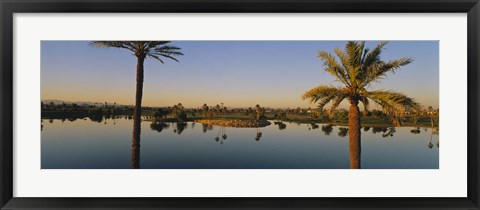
(179, 113)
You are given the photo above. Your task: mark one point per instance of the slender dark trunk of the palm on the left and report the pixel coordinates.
(137, 113)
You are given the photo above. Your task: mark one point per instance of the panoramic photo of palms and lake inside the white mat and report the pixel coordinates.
(348, 104)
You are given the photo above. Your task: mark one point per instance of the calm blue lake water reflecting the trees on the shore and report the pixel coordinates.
(84, 144)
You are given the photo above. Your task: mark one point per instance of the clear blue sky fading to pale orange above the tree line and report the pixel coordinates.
(237, 73)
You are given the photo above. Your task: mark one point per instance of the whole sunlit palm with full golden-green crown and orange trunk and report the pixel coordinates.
(357, 69)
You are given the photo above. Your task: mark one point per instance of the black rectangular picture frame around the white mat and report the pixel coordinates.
(9, 7)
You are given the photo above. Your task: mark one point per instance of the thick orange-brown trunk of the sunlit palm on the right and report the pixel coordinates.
(354, 135)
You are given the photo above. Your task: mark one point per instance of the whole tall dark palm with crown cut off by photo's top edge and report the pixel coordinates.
(141, 49)
